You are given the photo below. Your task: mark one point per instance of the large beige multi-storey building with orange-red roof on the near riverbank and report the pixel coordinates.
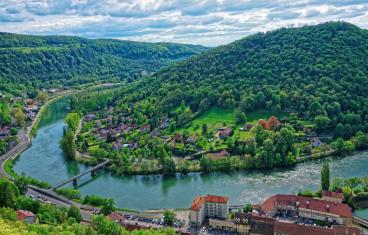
(209, 206)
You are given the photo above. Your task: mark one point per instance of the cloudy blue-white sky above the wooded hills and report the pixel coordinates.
(205, 22)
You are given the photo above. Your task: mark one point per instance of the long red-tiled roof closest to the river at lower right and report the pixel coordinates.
(342, 210)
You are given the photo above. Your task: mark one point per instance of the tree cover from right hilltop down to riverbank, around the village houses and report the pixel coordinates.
(318, 74)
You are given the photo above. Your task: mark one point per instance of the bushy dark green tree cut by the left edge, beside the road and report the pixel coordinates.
(8, 194)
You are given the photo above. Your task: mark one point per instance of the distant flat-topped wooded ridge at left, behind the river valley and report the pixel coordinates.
(49, 60)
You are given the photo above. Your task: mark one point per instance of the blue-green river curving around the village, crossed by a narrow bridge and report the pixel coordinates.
(44, 161)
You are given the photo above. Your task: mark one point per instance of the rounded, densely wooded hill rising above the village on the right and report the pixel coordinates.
(318, 70)
